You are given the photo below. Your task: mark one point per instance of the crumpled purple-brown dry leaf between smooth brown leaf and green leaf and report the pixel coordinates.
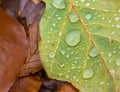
(32, 12)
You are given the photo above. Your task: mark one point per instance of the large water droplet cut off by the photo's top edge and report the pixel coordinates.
(59, 4)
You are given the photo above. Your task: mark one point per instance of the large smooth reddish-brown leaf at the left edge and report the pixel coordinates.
(13, 49)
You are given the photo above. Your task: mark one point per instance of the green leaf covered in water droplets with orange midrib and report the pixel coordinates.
(80, 43)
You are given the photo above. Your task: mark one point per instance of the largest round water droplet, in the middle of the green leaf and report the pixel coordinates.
(72, 38)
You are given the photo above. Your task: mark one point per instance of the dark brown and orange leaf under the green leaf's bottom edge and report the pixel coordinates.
(57, 86)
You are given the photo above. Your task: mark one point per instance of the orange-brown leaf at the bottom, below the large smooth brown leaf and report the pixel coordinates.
(30, 83)
